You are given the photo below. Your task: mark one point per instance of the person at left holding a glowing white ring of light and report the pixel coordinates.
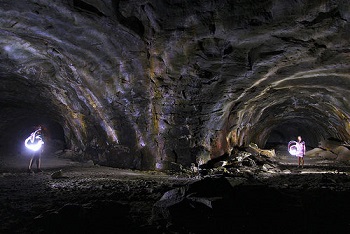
(36, 140)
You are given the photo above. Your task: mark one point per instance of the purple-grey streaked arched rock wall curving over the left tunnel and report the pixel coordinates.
(76, 82)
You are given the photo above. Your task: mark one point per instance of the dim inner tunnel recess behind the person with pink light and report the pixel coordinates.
(312, 123)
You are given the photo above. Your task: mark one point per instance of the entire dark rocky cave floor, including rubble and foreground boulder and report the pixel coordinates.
(87, 198)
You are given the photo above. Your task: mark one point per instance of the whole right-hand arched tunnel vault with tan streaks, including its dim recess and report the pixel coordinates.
(311, 96)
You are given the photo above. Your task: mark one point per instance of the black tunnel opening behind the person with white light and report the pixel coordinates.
(25, 105)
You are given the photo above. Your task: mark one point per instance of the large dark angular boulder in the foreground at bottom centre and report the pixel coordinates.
(192, 207)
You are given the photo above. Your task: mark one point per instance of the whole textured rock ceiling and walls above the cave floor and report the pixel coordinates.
(141, 83)
